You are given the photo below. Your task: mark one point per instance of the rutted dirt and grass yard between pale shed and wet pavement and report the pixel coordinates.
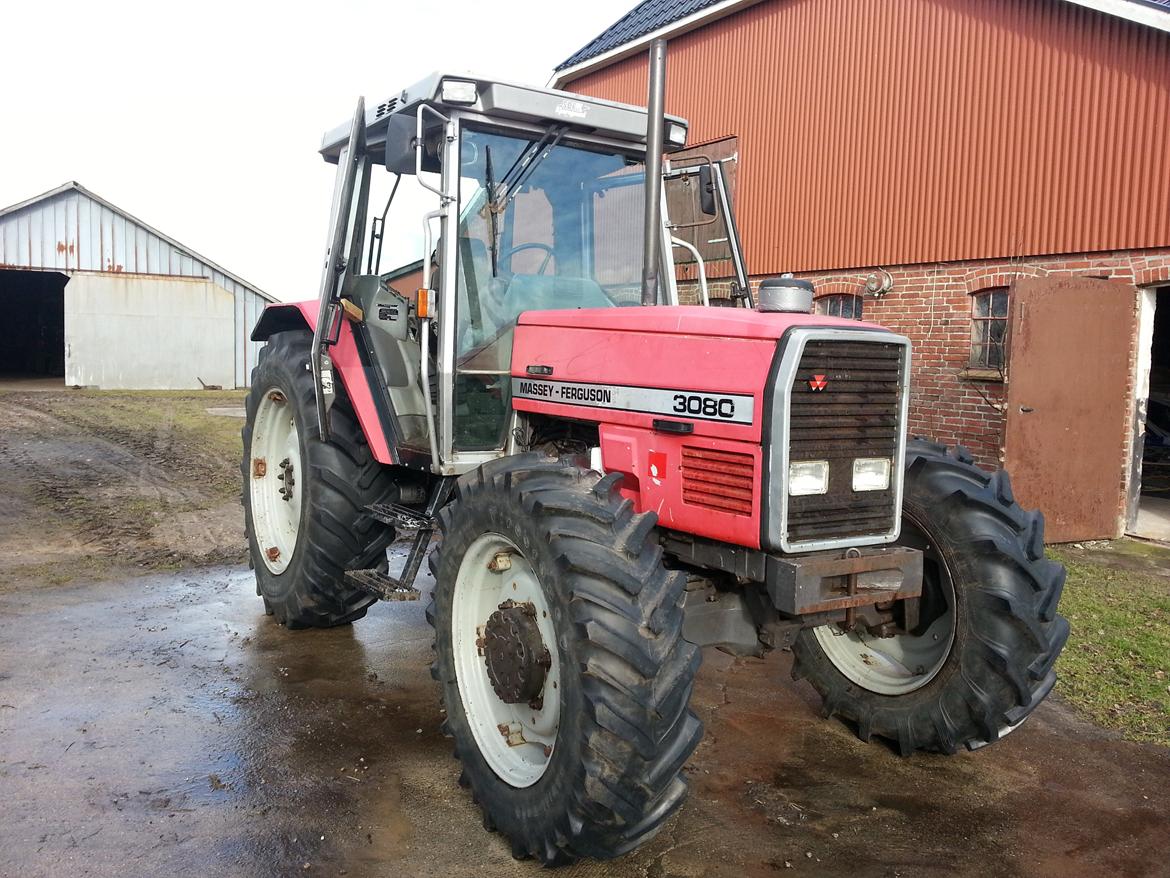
(105, 484)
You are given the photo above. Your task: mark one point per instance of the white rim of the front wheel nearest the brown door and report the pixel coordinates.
(900, 664)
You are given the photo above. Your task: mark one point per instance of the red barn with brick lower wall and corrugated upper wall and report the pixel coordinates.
(989, 177)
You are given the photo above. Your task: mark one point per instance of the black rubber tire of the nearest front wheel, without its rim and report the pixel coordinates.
(625, 612)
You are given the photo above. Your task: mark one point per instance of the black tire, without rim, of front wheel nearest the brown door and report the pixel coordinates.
(1002, 669)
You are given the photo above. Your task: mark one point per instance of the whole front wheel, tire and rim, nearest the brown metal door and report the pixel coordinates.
(982, 658)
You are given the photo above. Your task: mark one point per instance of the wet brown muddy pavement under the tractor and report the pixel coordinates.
(166, 726)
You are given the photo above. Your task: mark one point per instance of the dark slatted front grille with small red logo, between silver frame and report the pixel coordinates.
(856, 415)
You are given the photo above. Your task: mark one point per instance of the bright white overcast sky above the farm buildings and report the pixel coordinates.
(204, 120)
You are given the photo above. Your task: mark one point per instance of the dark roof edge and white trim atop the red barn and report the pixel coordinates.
(652, 16)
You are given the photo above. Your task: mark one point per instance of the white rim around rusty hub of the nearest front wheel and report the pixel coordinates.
(521, 757)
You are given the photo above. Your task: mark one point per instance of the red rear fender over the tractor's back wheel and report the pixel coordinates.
(356, 379)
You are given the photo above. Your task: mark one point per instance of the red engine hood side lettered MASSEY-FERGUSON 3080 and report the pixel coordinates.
(637, 385)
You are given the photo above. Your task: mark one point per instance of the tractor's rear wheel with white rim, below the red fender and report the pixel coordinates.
(305, 500)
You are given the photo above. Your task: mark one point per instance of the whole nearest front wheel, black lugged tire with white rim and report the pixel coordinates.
(600, 752)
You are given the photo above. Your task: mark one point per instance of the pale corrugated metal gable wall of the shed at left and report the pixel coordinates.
(70, 229)
